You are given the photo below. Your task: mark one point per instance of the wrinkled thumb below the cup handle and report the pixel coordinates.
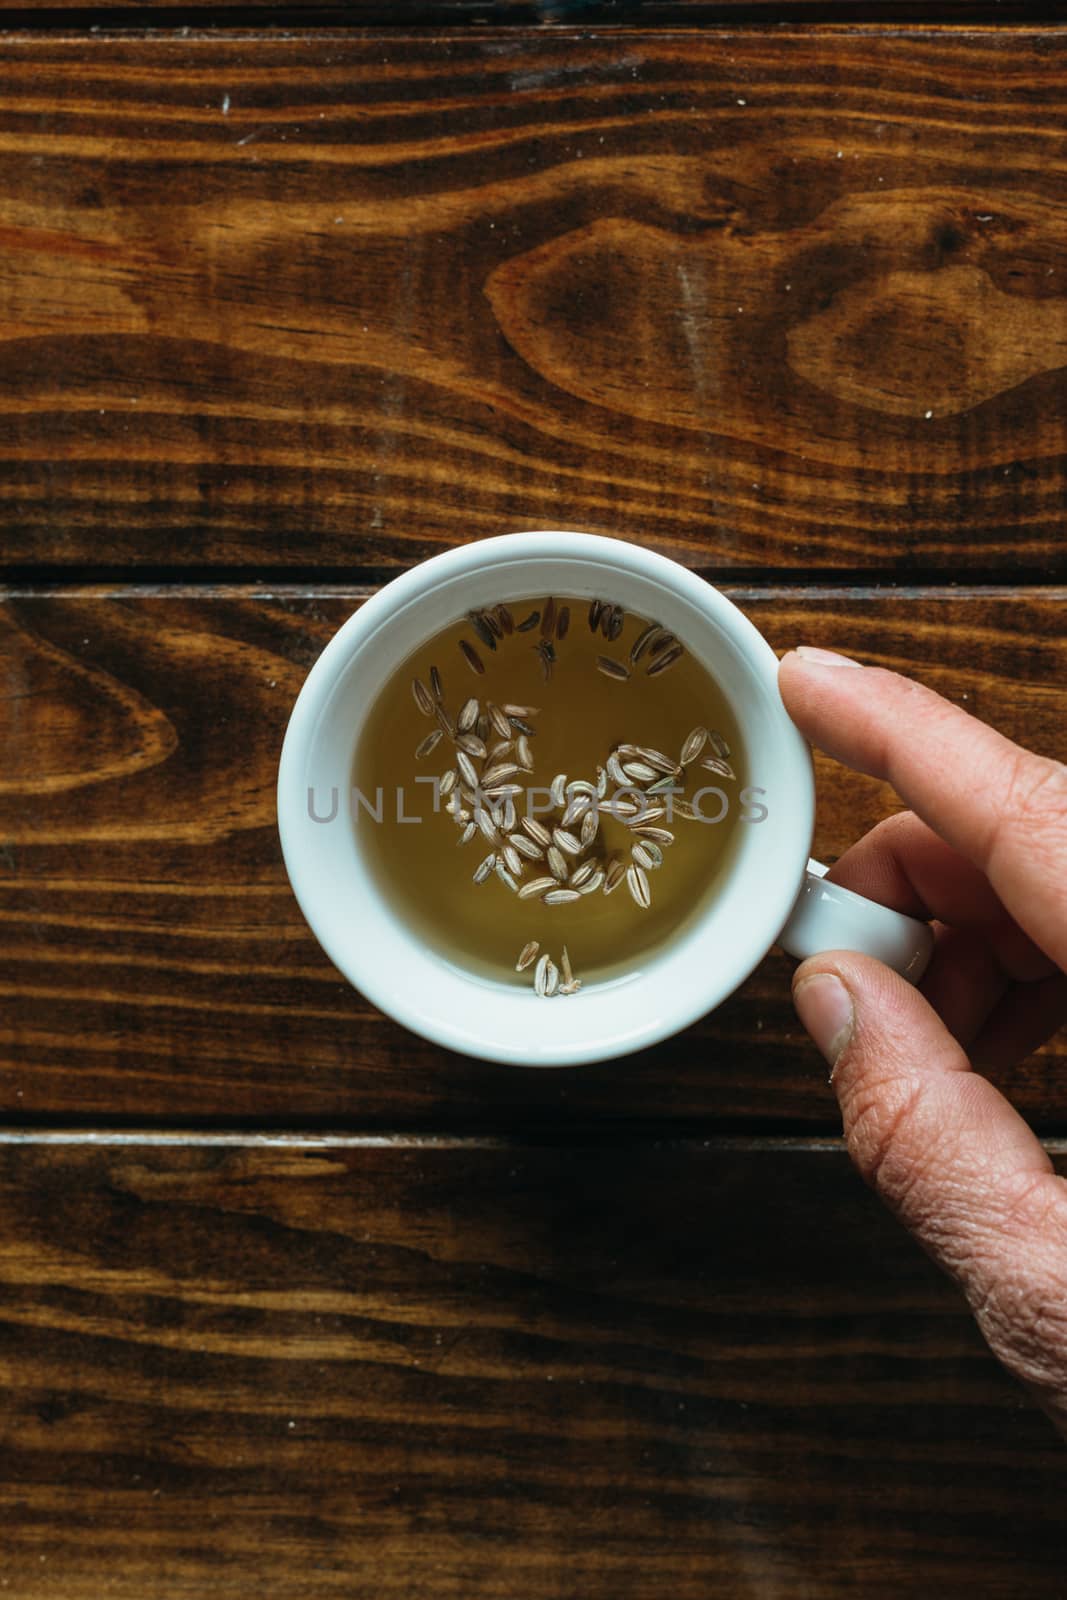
(951, 1158)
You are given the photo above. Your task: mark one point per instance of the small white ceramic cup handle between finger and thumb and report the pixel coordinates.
(829, 918)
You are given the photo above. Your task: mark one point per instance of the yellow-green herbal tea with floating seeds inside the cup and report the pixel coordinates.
(549, 791)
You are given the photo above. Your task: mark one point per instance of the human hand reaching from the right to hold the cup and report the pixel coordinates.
(985, 854)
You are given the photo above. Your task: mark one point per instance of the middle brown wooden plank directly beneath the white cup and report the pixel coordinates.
(156, 966)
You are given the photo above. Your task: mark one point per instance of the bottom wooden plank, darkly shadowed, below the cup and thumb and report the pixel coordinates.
(322, 1369)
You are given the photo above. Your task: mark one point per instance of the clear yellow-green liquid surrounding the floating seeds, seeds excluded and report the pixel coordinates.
(581, 714)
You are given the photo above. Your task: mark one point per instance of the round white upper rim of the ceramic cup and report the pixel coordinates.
(418, 583)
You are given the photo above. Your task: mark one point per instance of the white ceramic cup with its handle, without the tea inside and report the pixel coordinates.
(773, 894)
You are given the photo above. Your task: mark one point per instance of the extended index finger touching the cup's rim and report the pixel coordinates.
(1002, 807)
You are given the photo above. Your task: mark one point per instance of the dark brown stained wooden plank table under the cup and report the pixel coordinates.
(292, 1303)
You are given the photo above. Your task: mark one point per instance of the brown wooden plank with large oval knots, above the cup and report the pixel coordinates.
(769, 298)
